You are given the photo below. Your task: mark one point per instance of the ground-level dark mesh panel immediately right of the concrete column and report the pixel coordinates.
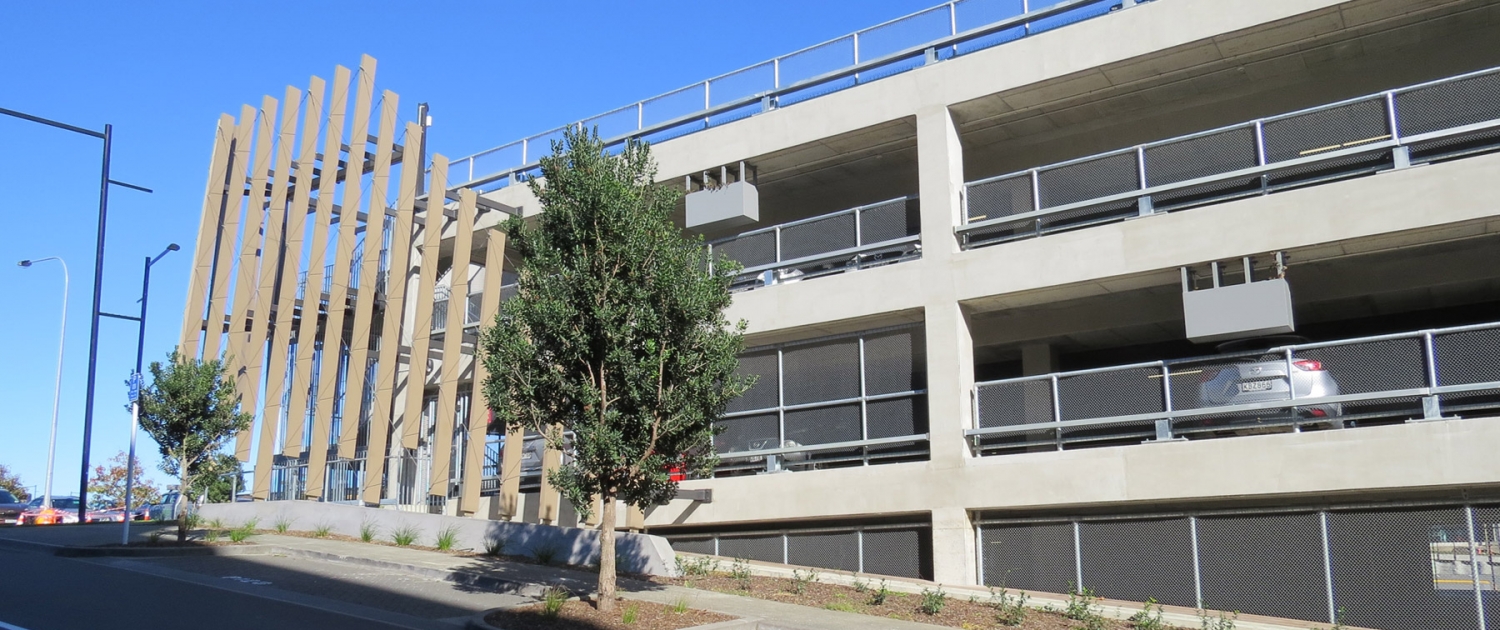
(1030, 557)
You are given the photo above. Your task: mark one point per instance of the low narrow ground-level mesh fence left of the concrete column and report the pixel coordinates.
(898, 550)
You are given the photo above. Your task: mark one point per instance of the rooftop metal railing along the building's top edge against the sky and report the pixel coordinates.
(769, 97)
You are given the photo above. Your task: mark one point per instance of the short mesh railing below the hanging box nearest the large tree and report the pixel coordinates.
(868, 236)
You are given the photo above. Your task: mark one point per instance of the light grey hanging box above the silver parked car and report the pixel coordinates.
(1249, 310)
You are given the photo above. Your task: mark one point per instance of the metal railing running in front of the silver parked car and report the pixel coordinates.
(1435, 388)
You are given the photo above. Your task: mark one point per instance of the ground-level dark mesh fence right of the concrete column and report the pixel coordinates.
(1399, 568)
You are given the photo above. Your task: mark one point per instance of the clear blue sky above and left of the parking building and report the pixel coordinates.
(163, 73)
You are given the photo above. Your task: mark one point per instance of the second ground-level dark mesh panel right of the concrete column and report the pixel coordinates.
(1135, 560)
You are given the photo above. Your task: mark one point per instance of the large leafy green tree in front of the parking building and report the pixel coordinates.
(617, 335)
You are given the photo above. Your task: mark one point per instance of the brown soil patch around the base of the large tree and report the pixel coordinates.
(583, 616)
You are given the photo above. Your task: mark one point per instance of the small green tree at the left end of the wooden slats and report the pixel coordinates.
(191, 410)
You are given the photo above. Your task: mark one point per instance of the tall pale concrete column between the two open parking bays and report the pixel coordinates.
(950, 343)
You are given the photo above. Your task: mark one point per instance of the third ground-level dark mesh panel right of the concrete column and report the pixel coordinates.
(1267, 565)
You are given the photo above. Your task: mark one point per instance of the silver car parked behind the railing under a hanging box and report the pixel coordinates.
(1261, 379)
